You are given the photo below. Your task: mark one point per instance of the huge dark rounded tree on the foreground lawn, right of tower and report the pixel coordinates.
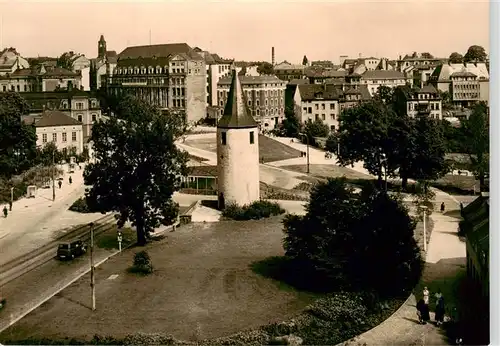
(347, 240)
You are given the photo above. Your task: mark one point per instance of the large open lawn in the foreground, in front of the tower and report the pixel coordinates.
(202, 287)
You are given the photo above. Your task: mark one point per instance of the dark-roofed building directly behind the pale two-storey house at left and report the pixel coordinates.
(82, 106)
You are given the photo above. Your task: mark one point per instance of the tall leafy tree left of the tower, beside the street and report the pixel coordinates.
(138, 167)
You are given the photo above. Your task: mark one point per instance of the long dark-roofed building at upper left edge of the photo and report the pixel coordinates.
(40, 79)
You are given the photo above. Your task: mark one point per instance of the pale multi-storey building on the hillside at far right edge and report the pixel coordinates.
(466, 83)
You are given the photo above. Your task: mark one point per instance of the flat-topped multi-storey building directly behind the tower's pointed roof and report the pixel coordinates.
(265, 97)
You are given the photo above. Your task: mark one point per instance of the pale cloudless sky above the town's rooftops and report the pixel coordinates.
(246, 30)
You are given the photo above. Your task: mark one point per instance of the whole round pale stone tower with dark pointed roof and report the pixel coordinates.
(237, 151)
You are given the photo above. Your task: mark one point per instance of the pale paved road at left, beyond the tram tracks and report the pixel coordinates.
(34, 222)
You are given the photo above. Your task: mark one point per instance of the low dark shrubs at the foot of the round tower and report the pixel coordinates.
(255, 211)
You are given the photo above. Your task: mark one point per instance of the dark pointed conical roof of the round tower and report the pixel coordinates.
(236, 114)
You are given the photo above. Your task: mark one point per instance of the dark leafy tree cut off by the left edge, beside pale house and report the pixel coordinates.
(17, 139)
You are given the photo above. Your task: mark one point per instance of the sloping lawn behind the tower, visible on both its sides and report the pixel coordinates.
(269, 149)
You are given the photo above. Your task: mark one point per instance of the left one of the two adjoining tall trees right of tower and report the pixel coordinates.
(364, 136)
